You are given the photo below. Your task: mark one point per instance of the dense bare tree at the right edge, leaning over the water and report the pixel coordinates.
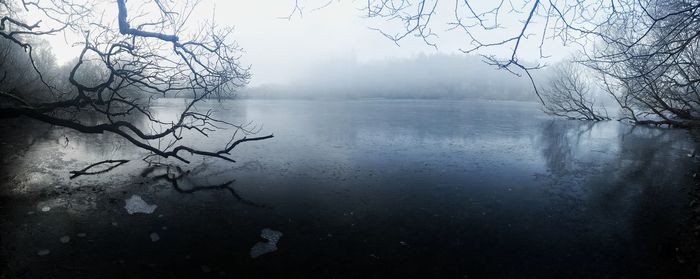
(655, 79)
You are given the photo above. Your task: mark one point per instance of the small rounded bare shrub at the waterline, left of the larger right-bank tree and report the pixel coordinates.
(568, 94)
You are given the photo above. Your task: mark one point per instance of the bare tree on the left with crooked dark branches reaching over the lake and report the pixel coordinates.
(131, 53)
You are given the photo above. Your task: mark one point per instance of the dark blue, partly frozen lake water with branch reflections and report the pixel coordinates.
(436, 189)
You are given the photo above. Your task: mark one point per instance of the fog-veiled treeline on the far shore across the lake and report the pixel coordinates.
(440, 76)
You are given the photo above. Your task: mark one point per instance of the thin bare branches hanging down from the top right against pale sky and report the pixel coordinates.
(605, 33)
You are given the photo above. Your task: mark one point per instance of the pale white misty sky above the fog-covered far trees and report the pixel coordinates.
(282, 50)
